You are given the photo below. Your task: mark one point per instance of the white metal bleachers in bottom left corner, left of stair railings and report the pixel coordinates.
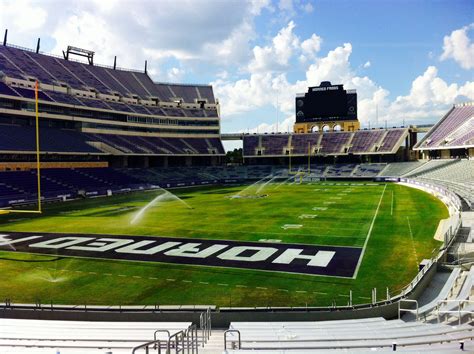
(82, 337)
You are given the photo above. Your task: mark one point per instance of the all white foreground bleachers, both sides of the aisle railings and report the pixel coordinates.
(361, 335)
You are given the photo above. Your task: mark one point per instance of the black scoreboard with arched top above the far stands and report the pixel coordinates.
(326, 102)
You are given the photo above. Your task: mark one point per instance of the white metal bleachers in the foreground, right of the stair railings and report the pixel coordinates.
(365, 334)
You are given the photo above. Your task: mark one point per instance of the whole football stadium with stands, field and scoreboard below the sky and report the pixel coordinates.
(123, 228)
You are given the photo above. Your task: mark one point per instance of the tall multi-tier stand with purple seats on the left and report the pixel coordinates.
(100, 111)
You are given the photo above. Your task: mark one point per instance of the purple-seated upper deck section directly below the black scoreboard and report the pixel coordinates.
(333, 143)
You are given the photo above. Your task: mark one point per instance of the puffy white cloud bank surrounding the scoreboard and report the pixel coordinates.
(429, 96)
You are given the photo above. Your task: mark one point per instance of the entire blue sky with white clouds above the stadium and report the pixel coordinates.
(410, 59)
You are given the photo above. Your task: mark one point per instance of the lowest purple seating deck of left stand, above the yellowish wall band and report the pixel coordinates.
(52, 140)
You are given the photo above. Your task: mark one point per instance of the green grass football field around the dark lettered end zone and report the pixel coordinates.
(393, 224)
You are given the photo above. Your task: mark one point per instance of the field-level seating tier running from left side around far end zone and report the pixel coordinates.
(455, 175)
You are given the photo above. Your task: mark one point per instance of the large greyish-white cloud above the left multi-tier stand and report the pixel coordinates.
(180, 30)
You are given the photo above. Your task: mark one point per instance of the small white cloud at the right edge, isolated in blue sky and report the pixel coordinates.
(459, 47)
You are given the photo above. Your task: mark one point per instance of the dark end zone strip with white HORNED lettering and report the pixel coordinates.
(281, 257)
